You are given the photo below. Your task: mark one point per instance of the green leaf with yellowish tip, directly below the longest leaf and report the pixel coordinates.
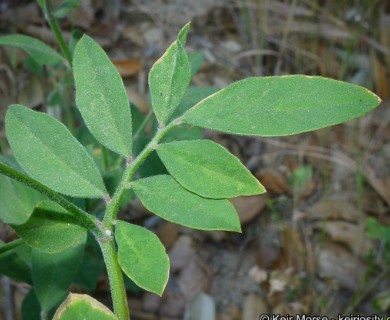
(208, 169)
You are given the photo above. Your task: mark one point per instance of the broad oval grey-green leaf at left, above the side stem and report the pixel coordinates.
(49, 153)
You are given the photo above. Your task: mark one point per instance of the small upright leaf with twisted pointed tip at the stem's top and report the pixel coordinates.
(169, 78)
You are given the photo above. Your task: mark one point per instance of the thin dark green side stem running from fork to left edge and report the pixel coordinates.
(85, 219)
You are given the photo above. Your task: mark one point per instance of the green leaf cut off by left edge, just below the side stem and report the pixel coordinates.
(17, 201)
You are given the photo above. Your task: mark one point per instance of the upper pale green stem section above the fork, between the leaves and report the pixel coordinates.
(113, 205)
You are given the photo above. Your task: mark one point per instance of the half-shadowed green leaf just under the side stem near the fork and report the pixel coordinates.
(51, 229)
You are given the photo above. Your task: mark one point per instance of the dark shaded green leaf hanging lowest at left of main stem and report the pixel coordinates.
(53, 273)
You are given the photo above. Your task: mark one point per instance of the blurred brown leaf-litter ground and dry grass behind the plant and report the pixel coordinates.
(318, 243)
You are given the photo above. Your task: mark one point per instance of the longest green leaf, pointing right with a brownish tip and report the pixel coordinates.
(278, 106)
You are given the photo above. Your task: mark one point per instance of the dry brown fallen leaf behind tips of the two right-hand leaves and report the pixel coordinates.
(249, 207)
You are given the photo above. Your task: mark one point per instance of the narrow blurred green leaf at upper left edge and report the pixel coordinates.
(38, 50)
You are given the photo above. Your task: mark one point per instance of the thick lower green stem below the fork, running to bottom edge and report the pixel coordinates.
(118, 291)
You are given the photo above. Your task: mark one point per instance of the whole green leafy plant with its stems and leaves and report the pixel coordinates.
(41, 198)
